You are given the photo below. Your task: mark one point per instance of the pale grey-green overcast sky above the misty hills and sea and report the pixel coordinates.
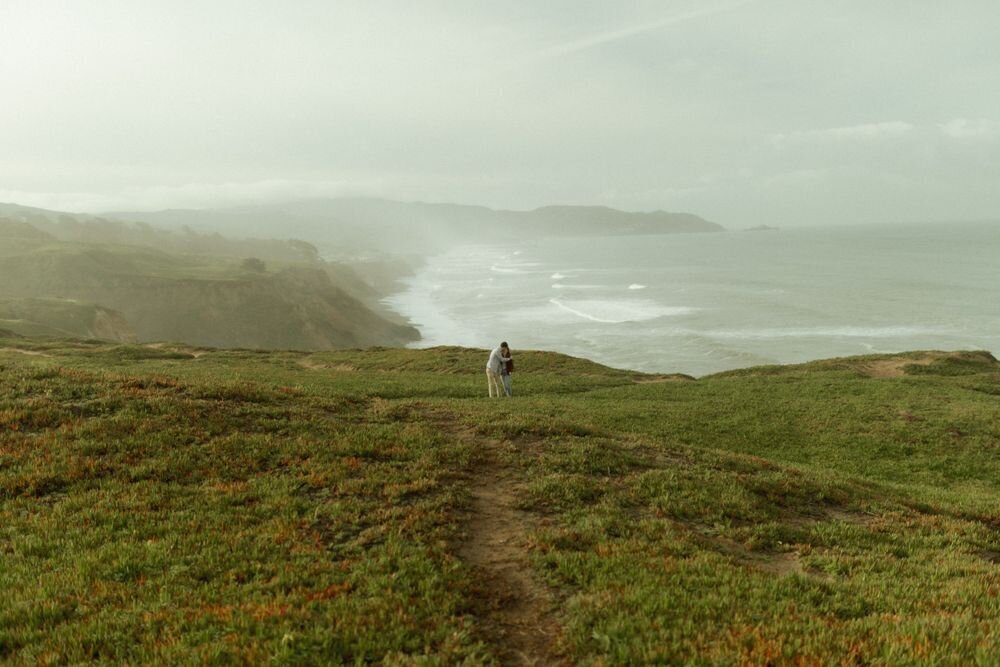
(744, 111)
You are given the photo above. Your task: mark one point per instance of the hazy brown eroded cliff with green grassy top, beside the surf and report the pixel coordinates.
(294, 308)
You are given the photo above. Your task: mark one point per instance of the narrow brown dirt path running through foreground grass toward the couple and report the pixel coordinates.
(516, 609)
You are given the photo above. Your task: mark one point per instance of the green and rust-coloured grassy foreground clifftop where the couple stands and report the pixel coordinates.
(191, 505)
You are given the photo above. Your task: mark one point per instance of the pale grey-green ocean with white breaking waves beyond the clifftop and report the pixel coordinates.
(703, 303)
